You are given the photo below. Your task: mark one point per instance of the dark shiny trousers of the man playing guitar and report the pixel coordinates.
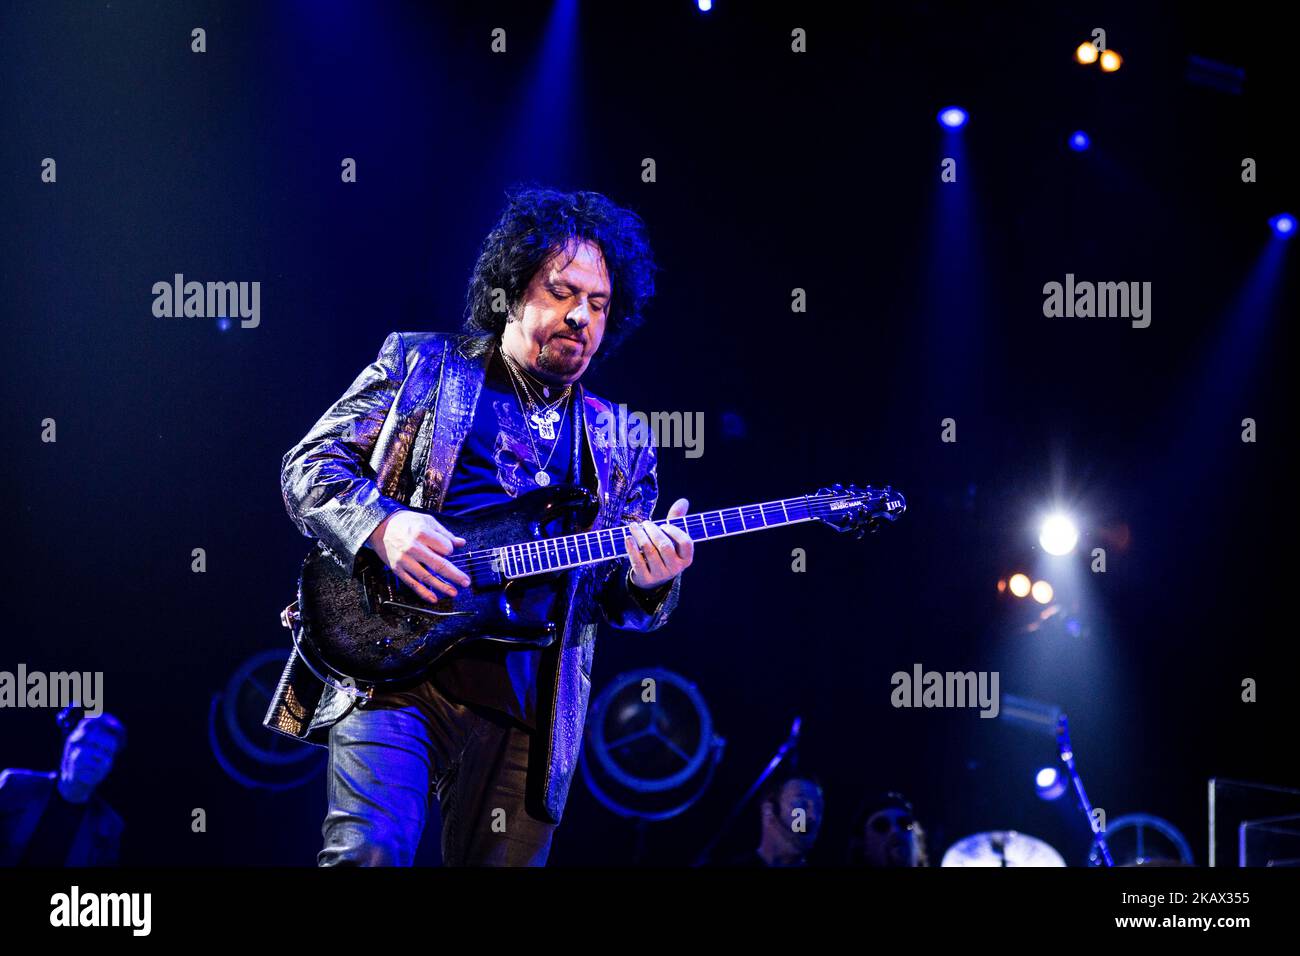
(389, 756)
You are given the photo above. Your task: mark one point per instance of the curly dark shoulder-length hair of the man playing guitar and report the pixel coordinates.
(540, 223)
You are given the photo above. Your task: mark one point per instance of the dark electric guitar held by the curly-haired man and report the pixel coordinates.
(365, 630)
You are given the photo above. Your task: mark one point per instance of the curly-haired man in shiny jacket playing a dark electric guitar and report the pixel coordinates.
(453, 425)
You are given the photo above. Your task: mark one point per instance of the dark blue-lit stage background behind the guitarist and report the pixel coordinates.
(774, 172)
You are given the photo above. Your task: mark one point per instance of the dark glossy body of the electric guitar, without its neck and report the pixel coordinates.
(370, 629)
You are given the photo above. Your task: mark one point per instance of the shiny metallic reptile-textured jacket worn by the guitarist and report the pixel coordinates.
(393, 440)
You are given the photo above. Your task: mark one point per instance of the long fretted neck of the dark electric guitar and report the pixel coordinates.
(593, 547)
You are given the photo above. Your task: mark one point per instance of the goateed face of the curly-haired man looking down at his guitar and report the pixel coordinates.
(561, 321)
